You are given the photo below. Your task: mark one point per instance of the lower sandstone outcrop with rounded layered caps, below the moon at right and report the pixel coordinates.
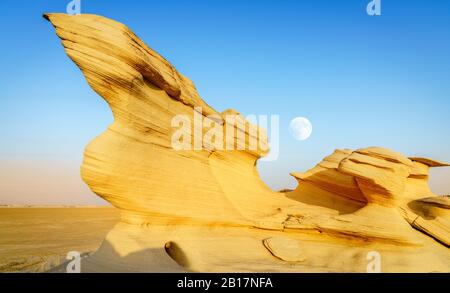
(380, 176)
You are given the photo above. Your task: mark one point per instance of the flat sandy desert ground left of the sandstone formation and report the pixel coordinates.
(37, 239)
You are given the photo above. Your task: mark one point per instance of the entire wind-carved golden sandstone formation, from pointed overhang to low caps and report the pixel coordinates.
(206, 209)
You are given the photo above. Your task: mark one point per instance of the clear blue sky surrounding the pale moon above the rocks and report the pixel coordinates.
(361, 80)
